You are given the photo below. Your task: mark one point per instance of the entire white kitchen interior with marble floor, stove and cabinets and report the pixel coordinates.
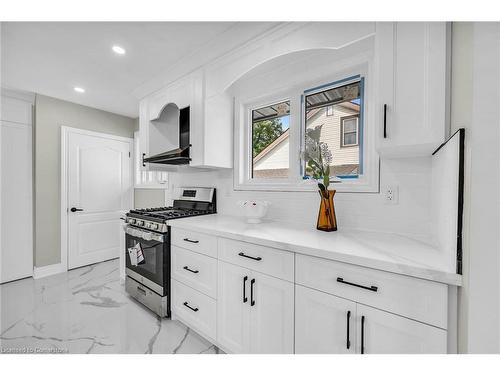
(260, 188)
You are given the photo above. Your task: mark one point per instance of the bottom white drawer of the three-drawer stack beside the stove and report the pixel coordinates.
(194, 308)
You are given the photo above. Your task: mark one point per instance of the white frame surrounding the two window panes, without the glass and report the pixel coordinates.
(367, 182)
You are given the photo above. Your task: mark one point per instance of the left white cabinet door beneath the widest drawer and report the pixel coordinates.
(324, 324)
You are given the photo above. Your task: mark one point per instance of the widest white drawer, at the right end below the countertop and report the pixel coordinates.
(414, 298)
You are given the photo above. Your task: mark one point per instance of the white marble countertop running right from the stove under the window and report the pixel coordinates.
(383, 251)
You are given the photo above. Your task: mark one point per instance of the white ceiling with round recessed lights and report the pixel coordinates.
(51, 58)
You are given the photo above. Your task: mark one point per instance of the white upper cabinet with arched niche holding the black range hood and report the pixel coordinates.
(176, 123)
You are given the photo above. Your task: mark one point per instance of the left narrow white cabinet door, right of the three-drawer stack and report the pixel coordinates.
(232, 311)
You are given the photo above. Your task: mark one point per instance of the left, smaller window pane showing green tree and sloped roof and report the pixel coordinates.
(270, 141)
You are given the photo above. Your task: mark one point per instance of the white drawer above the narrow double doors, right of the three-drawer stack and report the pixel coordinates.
(269, 261)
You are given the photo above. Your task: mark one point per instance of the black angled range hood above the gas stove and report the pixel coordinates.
(180, 155)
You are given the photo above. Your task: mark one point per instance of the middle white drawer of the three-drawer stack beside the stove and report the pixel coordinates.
(195, 270)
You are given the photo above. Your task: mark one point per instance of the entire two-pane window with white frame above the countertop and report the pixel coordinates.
(271, 136)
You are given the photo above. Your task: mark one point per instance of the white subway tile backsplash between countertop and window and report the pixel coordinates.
(366, 211)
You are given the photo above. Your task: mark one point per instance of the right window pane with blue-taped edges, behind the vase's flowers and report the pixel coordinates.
(338, 132)
